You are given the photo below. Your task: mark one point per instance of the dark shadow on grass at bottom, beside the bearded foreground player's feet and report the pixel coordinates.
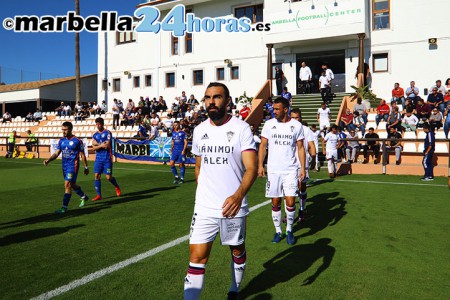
(289, 264)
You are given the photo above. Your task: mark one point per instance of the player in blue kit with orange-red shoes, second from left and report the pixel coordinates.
(103, 158)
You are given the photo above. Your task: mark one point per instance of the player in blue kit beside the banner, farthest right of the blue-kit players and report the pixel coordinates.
(179, 145)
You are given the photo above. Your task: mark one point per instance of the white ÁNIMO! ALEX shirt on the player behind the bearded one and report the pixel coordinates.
(282, 141)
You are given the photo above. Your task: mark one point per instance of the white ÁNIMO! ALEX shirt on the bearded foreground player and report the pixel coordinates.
(222, 169)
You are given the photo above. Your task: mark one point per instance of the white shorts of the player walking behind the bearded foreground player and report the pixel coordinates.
(279, 185)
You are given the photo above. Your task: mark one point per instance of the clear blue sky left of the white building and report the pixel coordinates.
(51, 54)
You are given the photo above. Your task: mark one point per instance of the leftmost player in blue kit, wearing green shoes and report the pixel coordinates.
(71, 148)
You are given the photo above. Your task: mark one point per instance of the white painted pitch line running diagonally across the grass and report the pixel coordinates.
(90, 277)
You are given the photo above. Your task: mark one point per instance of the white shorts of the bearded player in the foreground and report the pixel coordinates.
(205, 230)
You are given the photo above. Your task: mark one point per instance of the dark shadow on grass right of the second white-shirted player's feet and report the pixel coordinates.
(323, 210)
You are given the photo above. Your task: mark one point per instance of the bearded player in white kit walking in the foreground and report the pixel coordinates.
(225, 170)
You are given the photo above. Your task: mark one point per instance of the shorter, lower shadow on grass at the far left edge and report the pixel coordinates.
(35, 234)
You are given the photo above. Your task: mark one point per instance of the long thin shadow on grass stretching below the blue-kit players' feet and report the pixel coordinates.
(88, 209)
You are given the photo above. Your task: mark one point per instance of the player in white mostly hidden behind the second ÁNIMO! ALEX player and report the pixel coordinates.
(310, 150)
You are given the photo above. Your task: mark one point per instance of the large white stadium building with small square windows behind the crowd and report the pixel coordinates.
(402, 41)
